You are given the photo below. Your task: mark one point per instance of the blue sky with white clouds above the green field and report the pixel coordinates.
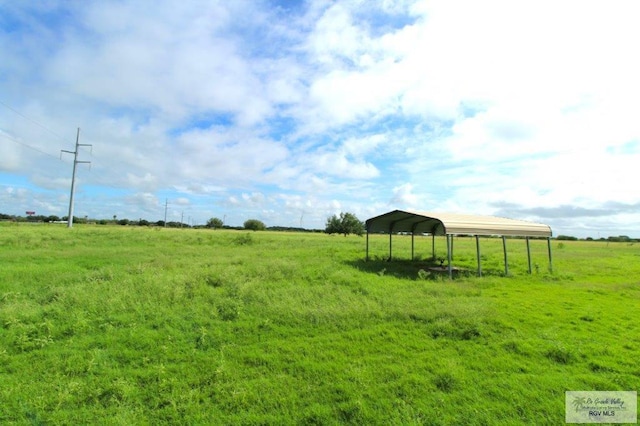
(291, 111)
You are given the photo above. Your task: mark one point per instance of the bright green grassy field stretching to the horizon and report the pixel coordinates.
(124, 325)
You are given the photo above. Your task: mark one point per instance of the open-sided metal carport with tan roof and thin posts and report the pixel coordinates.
(450, 224)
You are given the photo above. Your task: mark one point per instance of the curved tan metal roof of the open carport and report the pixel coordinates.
(417, 222)
